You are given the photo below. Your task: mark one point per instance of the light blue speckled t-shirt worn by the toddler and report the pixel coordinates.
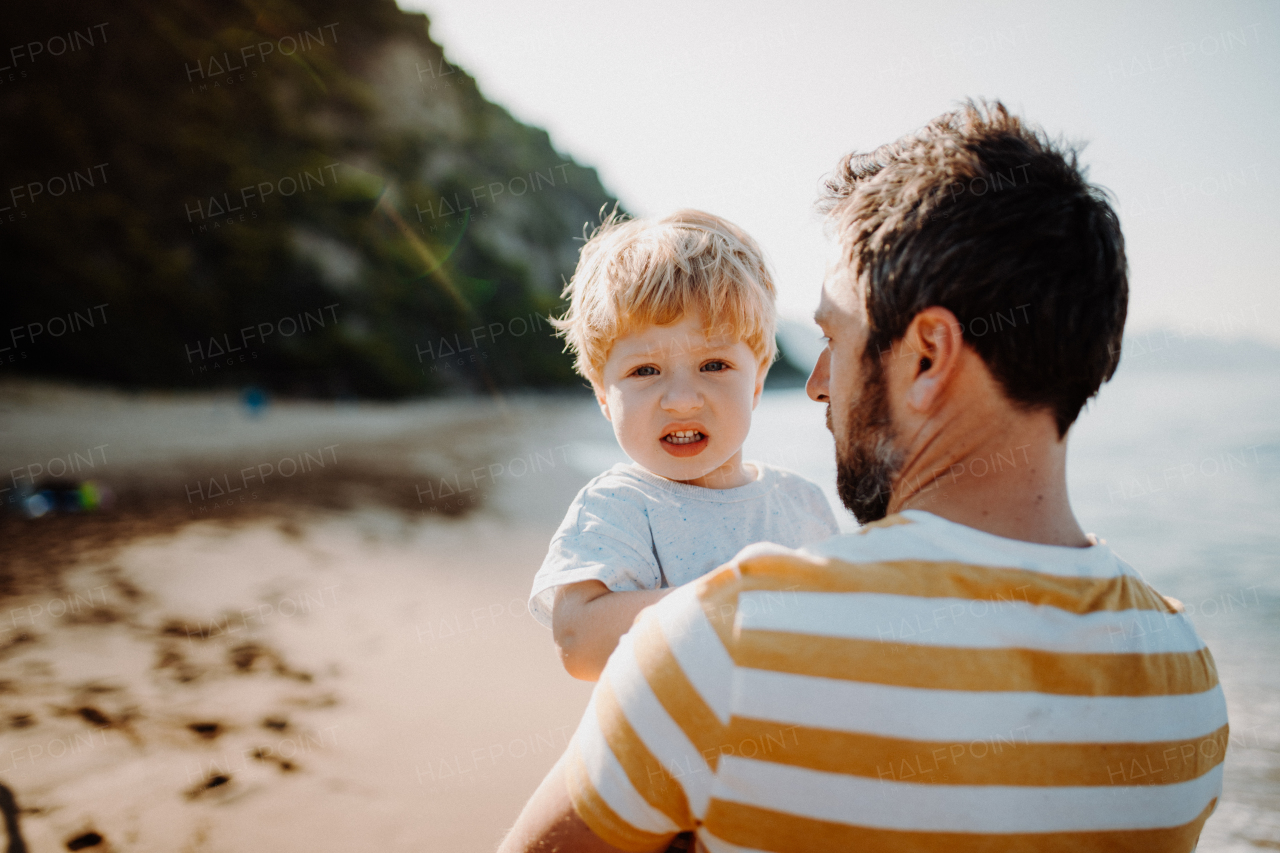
(633, 530)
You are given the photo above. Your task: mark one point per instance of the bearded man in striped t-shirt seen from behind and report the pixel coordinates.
(971, 670)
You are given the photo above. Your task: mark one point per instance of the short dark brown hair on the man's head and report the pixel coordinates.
(982, 215)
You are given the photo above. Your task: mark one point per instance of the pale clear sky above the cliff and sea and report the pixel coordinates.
(740, 108)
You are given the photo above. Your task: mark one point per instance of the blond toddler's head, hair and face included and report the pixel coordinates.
(673, 322)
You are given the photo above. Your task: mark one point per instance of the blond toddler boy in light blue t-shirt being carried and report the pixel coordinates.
(673, 322)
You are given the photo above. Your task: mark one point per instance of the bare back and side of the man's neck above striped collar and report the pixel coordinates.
(1007, 478)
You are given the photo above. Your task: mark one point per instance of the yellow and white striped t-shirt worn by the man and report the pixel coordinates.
(920, 686)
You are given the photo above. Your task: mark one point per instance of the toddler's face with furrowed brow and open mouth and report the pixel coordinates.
(680, 402)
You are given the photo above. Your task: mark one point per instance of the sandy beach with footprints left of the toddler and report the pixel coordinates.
(282, 674)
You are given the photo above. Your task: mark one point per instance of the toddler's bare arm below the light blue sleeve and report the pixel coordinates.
(588, 619)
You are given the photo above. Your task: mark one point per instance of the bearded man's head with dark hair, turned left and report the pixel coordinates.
(979, 236)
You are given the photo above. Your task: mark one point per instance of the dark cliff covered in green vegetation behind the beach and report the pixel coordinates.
(300, 195)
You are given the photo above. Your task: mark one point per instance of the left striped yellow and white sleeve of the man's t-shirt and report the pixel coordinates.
(643, 760)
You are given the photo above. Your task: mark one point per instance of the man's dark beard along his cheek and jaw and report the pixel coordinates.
(867, 463)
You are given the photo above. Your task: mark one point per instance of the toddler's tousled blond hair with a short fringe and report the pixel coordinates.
(642, 272)
